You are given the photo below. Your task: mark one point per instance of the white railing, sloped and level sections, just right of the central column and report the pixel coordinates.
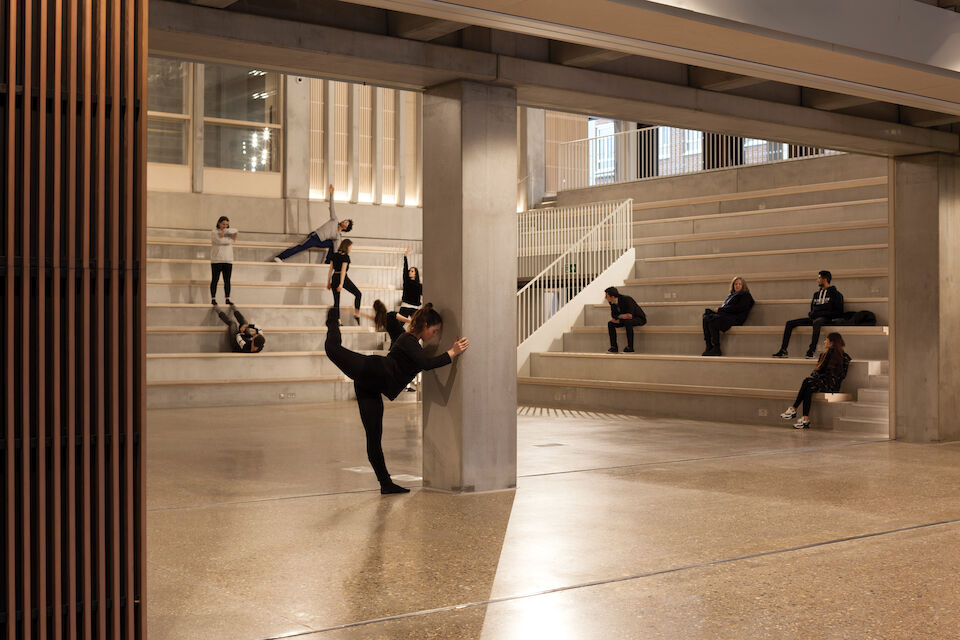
(576, 244)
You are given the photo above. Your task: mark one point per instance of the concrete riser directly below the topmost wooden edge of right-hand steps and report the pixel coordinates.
(642, 211)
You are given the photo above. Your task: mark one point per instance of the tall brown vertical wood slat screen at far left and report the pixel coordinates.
(72, 82)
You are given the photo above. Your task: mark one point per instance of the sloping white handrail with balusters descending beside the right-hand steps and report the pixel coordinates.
(575, 268)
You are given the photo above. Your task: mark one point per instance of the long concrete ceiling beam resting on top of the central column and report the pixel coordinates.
(195, 33)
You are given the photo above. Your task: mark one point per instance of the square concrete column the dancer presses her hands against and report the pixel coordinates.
(470, 274)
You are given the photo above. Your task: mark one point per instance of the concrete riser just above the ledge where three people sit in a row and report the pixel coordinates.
(762, 314)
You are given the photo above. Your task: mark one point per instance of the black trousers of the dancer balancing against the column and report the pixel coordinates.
(358, 367)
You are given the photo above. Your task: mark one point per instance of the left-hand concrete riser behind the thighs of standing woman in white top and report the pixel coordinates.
(270, 272)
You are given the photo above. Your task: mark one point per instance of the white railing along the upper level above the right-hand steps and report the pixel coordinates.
(664, 151)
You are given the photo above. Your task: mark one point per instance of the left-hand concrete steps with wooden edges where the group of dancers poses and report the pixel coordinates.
(189, 363)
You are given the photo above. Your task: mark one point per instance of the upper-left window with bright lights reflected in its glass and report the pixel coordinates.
(241, 118)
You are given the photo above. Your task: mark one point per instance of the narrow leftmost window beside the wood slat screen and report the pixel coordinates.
(168, 111)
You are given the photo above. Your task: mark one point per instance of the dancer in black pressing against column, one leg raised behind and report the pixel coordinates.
(388, 375)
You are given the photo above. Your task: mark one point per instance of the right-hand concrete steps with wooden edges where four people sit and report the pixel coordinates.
(775, 225)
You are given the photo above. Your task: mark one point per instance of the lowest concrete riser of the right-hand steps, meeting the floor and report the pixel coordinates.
(676, 405)
